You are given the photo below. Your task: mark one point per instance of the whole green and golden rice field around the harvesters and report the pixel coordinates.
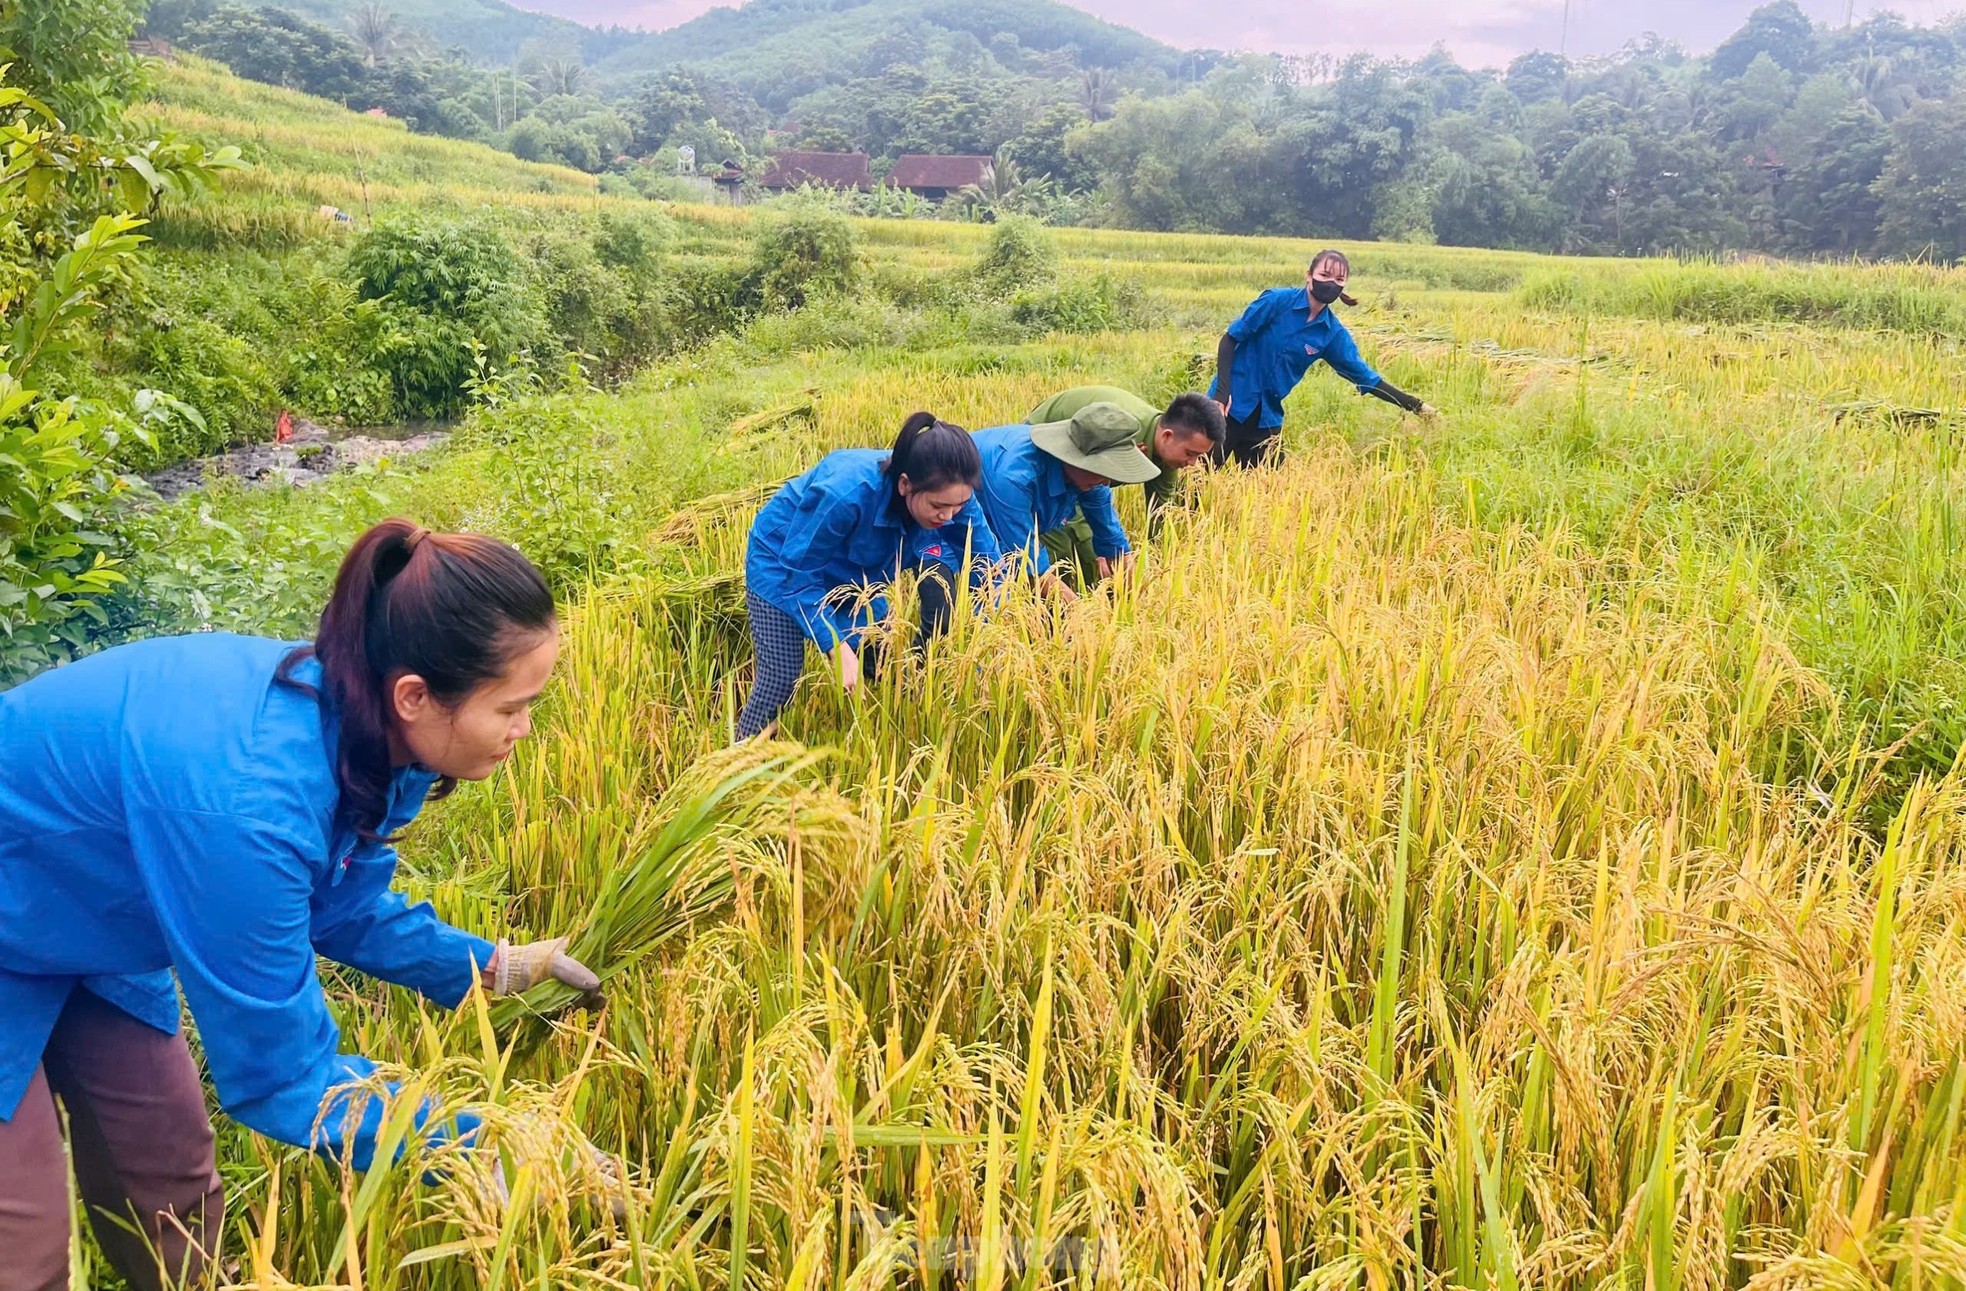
(1509, 852)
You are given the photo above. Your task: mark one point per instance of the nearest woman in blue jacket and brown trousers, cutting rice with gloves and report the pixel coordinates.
(221, 809)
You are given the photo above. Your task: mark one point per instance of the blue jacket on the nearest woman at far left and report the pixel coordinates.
(168, 807)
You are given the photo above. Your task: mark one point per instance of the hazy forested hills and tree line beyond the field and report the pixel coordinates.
(1790, 139)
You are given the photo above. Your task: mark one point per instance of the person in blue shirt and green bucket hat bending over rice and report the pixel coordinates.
(1037, 478)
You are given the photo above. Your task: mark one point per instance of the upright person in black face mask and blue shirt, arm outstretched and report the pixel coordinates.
(1267, 351)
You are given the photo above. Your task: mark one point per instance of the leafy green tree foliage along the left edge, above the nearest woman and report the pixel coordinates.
(70, 213)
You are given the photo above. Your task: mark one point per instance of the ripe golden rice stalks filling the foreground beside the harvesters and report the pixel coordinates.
(1354, 901)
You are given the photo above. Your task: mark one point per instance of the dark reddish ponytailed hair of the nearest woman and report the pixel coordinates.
(451, 608)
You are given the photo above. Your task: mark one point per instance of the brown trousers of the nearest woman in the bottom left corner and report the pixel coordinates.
(143, 1152)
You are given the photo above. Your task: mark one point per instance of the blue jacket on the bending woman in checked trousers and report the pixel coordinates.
(831, 535)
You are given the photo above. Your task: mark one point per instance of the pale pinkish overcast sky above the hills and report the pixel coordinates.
(1479, 32)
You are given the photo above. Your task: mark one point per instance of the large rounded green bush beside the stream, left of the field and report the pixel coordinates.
(443, 286)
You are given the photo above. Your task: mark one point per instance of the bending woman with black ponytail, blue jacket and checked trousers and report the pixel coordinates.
(848, 526)
